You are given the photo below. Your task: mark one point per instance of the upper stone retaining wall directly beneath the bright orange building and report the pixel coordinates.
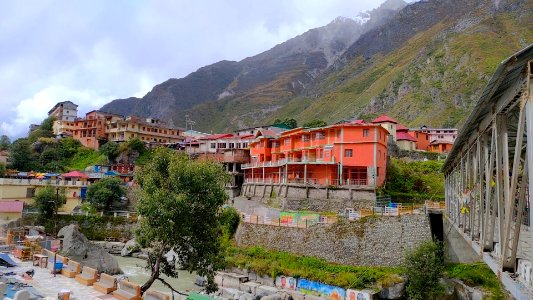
(291, 197)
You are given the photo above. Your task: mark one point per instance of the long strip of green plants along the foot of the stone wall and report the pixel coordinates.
(274, 263)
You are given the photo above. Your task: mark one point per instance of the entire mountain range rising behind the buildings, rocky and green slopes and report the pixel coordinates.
(423, 63)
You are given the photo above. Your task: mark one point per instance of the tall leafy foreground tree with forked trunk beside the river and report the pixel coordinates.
(180, 201)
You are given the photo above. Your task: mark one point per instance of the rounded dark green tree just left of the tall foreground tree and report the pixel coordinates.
(104, 192)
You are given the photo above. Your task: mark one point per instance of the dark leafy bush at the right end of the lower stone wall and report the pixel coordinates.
(424, 266)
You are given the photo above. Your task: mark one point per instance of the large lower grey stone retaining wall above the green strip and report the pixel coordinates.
(374, 241)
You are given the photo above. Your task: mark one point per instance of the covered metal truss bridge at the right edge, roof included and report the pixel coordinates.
(488, 191)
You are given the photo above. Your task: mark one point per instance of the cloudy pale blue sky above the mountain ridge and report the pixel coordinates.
(91, 52)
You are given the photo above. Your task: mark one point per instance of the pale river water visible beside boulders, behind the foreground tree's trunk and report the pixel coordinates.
(134, 269)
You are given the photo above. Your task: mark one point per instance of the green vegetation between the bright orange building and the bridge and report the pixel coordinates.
(415, 180)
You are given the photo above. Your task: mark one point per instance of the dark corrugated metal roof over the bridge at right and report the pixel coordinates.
(507, 73)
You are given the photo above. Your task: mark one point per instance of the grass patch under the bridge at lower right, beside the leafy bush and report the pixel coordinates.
(477, 275)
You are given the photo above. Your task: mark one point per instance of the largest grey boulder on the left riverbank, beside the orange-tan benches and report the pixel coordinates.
(78, 248)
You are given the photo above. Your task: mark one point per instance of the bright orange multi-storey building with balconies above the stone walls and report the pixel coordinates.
(348, 154)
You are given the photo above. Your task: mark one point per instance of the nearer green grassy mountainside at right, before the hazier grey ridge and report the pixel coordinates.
(433, 79)
